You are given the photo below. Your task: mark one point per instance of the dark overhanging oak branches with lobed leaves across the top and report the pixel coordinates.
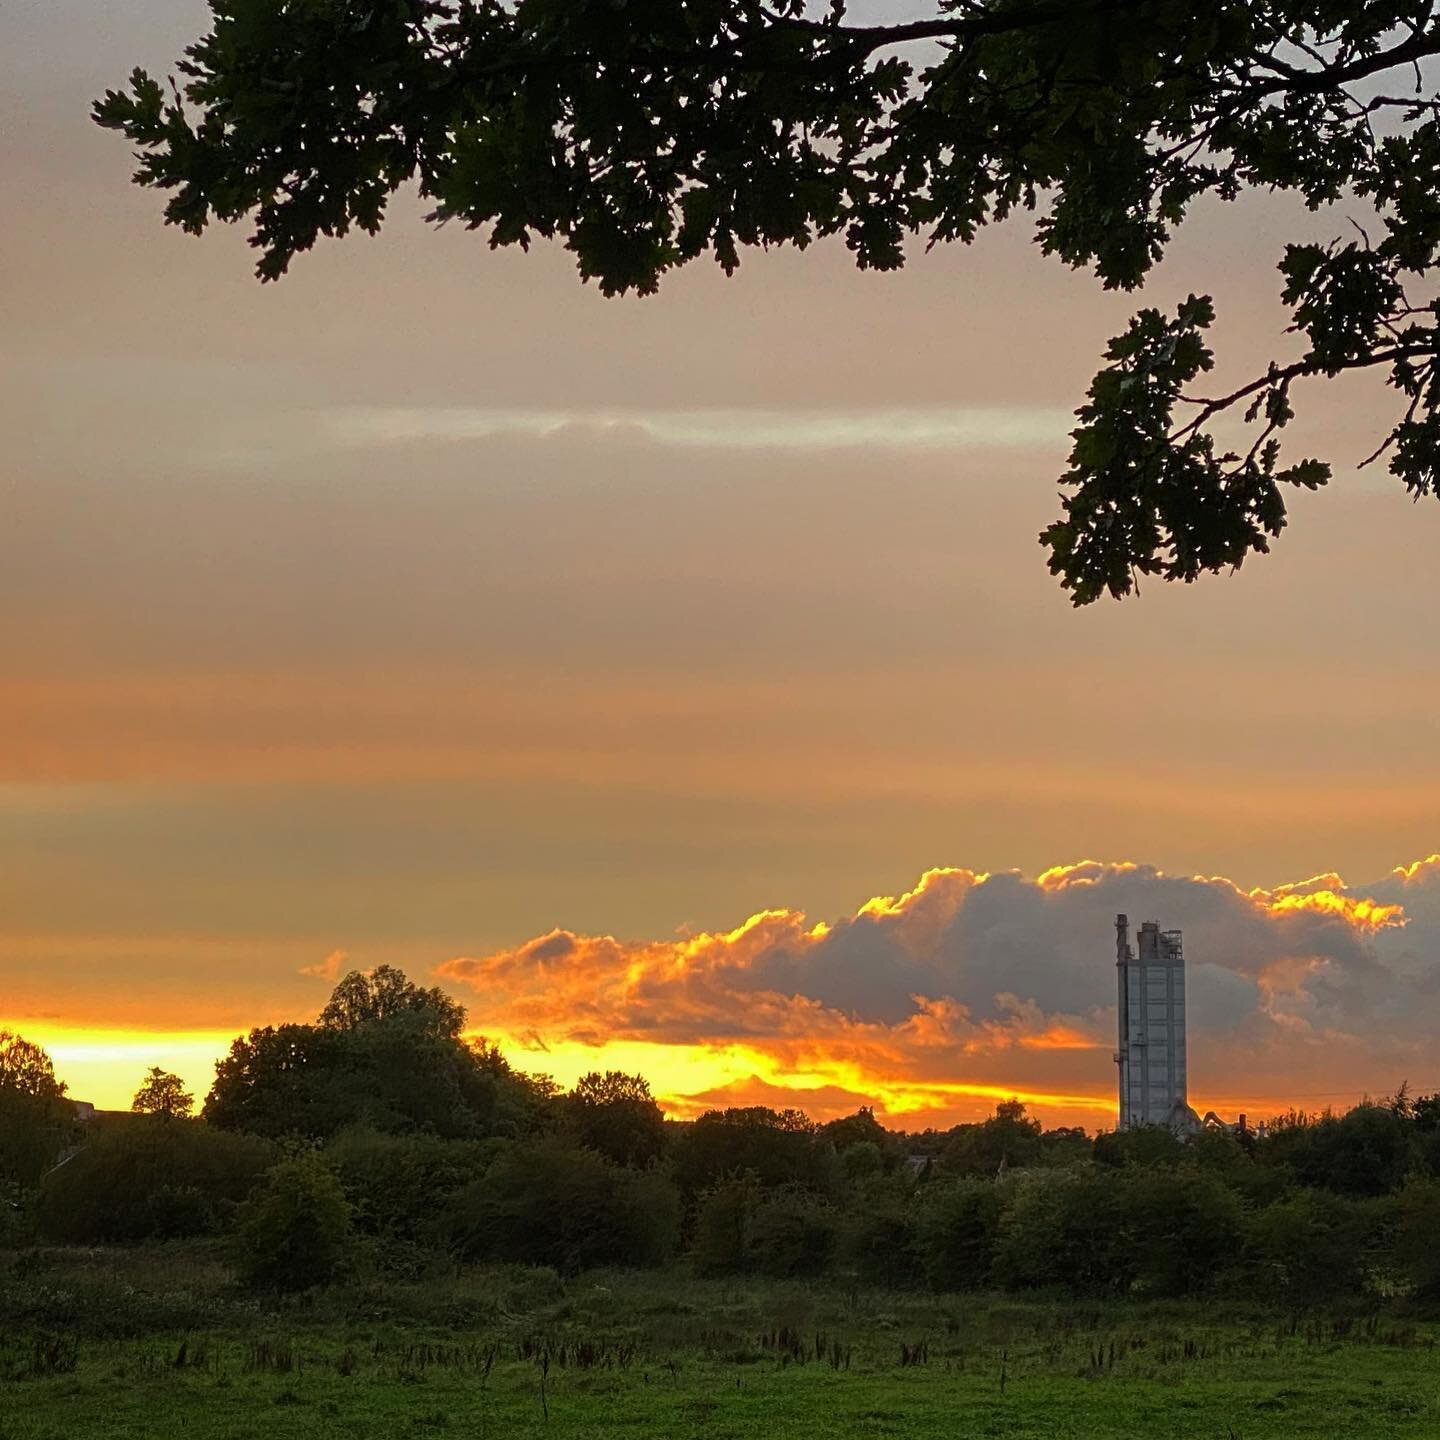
(644, 135)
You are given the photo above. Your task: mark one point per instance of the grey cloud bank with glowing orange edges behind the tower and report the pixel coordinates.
(976, 986)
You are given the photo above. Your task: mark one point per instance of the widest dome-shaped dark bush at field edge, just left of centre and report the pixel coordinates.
(551, 1205)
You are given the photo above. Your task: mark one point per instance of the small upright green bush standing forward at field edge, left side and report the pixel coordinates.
(296, 1233)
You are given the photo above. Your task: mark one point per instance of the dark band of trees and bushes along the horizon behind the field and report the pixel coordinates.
(382, 1140)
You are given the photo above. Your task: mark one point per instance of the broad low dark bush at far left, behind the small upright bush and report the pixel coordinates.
(150, 1179)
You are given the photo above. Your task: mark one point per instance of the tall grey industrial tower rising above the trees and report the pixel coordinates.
(1153, 1029)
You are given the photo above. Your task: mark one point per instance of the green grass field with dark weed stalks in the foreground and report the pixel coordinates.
(159, 1344)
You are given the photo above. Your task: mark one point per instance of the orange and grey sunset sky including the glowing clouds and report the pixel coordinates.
(676, 680)
